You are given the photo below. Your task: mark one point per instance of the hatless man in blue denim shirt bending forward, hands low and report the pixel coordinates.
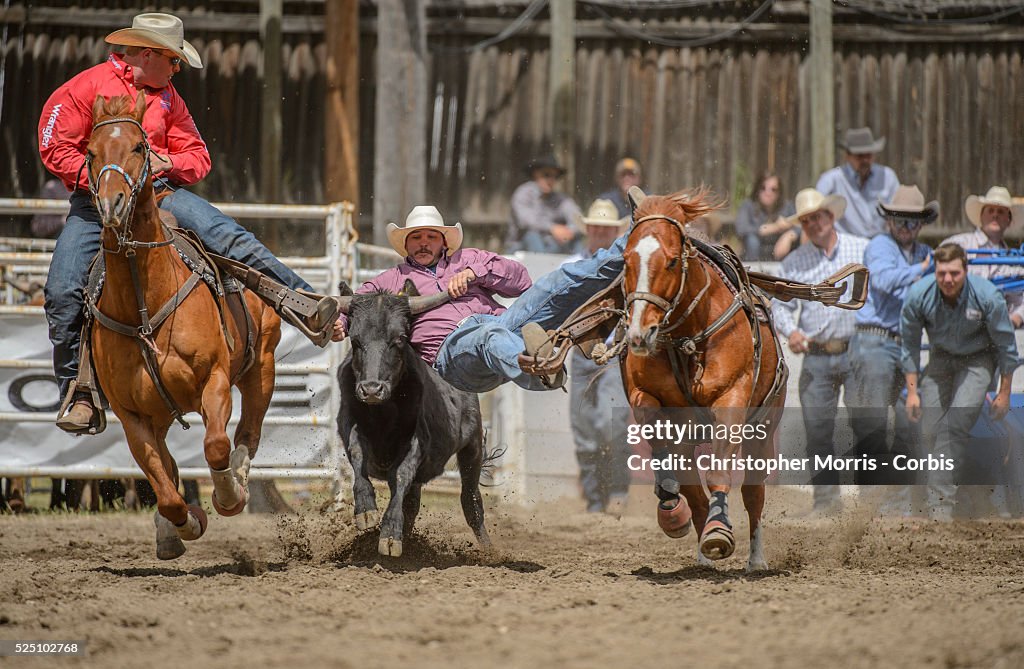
(971, 337)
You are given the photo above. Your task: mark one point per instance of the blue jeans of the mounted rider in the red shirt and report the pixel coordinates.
(80, 241)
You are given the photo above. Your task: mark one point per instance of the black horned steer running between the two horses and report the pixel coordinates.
(400, 421)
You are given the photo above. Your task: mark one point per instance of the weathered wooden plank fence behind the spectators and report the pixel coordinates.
(951, 106)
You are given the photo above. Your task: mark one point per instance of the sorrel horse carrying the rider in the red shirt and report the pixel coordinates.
(160, 347)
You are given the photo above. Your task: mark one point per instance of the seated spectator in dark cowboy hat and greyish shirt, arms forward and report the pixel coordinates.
(542, 220)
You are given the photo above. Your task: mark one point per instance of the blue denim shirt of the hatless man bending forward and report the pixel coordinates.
(977, 323)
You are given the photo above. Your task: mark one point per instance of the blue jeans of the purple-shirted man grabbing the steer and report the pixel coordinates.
(483, 353)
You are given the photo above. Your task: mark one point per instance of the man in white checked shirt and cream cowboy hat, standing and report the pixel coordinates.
(822, 333)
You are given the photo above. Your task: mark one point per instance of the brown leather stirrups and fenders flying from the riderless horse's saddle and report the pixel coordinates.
(590, 326)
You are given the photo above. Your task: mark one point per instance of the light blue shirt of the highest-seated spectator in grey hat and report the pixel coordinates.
(862, 218)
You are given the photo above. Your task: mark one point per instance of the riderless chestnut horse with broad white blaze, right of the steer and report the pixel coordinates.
(696, 343)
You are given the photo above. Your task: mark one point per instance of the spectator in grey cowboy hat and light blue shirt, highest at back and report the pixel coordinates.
(863, 183)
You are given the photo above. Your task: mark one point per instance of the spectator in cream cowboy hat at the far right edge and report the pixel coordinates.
(993, 216)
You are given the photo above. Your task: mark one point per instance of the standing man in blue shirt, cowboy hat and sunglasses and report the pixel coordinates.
(897, 262)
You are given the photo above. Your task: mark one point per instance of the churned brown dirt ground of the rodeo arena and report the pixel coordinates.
(561, 589)
